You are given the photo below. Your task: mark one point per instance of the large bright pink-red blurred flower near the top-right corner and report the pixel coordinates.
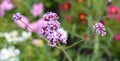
(112, 11)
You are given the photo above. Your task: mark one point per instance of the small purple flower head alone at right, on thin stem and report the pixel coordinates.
(99, 28)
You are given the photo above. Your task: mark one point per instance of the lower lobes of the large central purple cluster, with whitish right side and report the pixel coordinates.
(59, 35)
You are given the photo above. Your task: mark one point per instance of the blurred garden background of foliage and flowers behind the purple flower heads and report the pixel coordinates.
(77, 17)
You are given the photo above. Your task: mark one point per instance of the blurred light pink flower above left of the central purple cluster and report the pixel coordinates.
(37, 9)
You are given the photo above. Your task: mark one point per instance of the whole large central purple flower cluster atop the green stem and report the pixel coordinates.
(50, 29)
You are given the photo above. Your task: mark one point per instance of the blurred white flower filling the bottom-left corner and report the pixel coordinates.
(9, 54)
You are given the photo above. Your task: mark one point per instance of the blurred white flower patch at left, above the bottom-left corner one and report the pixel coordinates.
(14, 37)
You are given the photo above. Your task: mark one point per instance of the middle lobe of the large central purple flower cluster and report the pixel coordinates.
(47, 27)
